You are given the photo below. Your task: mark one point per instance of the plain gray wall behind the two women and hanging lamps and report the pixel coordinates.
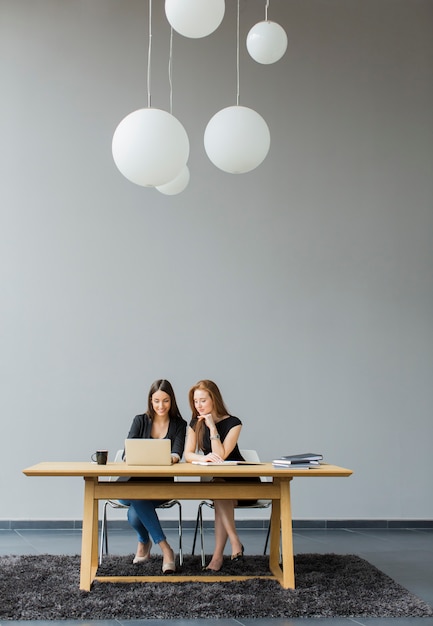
(303, 288)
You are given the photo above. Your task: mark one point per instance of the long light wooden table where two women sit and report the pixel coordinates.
(97, 487)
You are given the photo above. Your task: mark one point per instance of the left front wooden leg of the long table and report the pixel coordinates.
(89, 541)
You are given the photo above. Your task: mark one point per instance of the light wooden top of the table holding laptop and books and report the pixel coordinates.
(87, 469)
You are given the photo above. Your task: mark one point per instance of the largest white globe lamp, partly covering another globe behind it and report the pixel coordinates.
(150, 147)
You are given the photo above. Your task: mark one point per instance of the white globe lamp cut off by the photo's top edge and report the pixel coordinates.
(194, 18)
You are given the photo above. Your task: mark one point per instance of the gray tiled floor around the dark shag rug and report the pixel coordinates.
(405, 555)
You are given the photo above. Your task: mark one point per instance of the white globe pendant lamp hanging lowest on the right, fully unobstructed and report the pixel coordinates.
(237, 139)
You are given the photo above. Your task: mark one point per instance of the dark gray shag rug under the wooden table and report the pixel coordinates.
(46, 587)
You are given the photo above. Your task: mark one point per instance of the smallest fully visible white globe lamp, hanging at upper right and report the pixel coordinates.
(267, 42)
